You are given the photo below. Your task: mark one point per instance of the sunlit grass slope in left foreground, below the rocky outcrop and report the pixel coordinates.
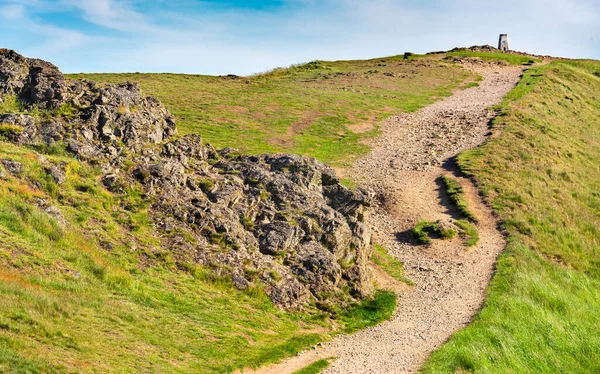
(69, 292)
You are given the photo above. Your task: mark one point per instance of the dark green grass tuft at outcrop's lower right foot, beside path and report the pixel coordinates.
(369, 312)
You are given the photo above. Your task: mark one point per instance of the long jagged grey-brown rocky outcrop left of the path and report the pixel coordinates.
(282, 222)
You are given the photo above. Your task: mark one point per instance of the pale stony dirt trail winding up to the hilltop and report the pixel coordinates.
(450, 280)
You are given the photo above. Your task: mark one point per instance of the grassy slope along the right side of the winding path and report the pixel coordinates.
(542, 175)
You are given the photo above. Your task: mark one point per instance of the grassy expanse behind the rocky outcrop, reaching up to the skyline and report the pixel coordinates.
(322, 109)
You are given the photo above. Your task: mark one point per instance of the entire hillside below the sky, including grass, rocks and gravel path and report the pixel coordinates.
(136, 240)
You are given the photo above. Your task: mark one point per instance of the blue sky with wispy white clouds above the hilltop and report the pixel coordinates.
(246, 37)
